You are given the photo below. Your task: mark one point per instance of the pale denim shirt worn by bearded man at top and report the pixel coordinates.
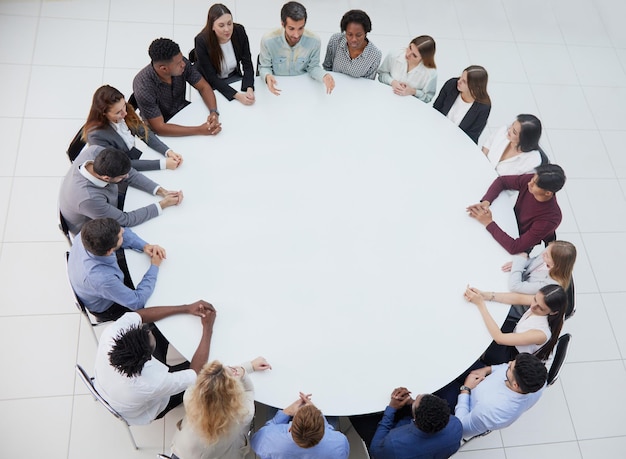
(277, 57)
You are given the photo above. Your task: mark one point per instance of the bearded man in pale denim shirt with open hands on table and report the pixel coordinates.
(291, 50)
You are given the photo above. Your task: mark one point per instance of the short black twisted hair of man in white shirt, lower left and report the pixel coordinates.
(131, 350)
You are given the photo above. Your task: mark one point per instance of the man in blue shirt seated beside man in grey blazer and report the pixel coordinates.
(97, 279)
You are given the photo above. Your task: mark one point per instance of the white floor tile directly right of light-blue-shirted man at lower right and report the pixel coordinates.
(548, 421)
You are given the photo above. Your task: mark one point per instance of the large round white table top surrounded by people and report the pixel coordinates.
(330, 233)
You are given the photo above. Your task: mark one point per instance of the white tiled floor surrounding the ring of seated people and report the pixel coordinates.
(564, 60)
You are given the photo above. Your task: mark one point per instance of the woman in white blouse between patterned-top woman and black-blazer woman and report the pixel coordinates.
(412, 72)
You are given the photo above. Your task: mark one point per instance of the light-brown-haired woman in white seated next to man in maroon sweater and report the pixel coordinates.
(554, 265)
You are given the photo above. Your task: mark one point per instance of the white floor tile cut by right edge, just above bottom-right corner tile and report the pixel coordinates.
(592, 393)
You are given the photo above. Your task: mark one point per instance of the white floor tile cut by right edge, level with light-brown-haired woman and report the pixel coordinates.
(603, 250)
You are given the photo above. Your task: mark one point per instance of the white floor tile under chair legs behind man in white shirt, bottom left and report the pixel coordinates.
(95, 429)
